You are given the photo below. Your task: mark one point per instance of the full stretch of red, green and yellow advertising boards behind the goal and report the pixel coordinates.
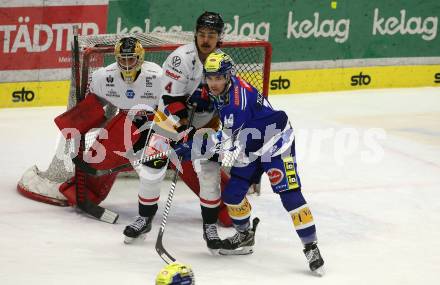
(323, 45)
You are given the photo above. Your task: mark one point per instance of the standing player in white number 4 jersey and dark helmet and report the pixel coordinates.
(183, 78)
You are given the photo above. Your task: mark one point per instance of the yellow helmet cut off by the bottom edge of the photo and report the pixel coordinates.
(175, 274)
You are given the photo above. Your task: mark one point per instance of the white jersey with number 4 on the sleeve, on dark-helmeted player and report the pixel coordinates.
(182, 74)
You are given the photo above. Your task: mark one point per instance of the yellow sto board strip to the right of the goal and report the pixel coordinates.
(353, 78)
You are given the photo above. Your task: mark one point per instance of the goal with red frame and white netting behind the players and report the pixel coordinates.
(251, 59)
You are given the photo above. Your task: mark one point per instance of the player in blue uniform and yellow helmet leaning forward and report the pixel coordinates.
(267, 140)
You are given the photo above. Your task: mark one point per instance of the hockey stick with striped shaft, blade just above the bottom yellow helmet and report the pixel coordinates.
(163, 253)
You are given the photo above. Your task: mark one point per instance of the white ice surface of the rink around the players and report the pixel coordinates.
(376, 204)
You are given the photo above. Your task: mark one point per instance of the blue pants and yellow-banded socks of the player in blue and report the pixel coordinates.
(284, 179)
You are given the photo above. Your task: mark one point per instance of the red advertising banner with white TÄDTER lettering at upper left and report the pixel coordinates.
(40, 37)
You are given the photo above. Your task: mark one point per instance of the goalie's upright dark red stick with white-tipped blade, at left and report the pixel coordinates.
(82, 201)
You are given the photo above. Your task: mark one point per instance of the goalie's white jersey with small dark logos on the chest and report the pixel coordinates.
(108, 85)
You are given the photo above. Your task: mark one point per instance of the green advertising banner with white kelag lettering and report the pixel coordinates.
(301, 30)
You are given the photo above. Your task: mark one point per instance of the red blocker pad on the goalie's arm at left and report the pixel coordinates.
(85, 115)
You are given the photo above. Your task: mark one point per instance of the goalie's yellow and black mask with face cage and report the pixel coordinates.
(129, 55)
